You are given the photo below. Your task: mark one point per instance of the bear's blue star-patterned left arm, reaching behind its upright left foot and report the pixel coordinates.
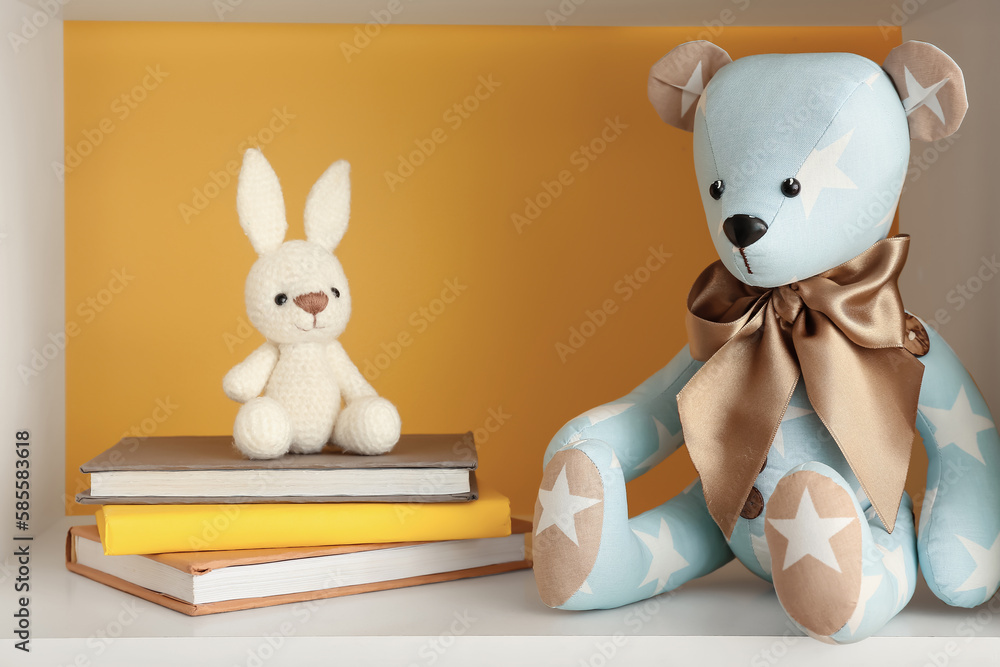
(642, 427)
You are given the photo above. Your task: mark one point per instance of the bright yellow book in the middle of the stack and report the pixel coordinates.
(149, 529)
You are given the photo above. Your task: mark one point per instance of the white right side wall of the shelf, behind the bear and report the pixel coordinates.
(950, 209)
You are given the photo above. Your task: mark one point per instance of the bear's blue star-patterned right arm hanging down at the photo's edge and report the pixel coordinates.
(958, 539)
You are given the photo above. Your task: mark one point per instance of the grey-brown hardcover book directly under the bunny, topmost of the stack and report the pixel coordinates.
(210, 470)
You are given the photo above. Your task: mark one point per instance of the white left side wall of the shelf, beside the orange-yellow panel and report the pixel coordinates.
(31, 259)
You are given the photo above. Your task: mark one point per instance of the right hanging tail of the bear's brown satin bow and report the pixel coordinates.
(867, 399)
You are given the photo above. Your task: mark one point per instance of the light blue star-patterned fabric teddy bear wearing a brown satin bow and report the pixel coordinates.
(803, 377)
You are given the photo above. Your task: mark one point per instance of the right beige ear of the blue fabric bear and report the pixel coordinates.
(931, 86)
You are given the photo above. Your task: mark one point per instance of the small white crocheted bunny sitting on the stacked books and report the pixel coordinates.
(297, 296)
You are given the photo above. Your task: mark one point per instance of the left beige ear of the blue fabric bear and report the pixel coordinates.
(678, 79)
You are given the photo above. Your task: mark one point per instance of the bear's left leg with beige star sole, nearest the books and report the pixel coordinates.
(589, 555)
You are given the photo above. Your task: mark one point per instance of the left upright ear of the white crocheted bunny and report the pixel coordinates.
(259, 203)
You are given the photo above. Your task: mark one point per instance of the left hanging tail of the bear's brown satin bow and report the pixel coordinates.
(730, 411)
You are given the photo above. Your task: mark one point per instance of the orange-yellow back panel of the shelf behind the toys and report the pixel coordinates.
(451, 131)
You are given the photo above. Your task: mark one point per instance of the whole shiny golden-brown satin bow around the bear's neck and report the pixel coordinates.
(843, 332)
